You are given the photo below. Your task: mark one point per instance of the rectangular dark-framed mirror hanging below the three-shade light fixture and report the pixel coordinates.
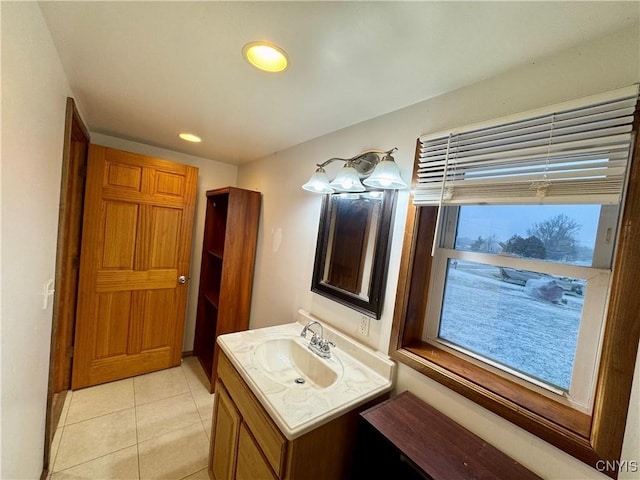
(352, 253)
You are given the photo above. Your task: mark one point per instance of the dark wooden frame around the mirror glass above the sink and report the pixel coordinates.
(373, 306)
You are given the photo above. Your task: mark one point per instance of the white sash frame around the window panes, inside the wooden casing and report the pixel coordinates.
(597, 279)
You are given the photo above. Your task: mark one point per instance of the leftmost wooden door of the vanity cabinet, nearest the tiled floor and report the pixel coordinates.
(224, 437)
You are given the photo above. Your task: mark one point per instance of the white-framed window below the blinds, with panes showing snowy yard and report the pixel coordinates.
(511, 284)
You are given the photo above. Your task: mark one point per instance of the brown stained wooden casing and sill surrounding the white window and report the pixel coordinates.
(592, 438)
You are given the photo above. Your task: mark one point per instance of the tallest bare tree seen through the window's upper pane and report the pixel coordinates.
(558, 235)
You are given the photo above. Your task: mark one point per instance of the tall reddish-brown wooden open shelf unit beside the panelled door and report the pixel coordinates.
(226, 272)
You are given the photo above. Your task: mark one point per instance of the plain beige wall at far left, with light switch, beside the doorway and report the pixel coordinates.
(34, 91)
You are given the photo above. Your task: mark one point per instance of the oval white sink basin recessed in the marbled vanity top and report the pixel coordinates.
(287, 361)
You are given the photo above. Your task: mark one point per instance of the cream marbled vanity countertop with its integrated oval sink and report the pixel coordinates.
(271, 359)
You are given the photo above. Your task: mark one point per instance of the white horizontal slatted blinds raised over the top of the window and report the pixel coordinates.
(575, 152)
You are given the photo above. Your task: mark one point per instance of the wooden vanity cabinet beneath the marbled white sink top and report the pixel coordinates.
(247, 445)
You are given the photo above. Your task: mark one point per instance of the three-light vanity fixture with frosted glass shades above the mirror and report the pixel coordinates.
(376, 167)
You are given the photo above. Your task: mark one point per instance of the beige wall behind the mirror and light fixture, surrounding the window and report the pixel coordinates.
(290, 219)
